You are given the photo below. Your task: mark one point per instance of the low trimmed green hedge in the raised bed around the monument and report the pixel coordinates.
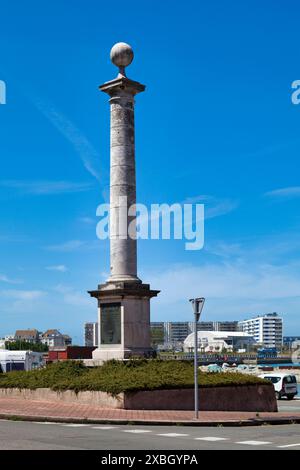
(115, 377)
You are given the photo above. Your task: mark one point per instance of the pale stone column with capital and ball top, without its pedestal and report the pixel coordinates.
(123, 247)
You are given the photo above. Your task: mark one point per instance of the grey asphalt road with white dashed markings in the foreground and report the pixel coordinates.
(43, 436)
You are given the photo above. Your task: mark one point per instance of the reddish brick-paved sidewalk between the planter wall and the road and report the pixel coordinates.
(77, 413)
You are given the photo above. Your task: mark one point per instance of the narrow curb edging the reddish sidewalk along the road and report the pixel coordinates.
(228, 423)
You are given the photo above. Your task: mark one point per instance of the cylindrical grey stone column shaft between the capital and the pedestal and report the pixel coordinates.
(123, 249)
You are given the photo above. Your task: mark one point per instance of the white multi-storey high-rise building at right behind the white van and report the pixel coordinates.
(266, 329)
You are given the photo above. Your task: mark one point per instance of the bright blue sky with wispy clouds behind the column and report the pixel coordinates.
(216, 124)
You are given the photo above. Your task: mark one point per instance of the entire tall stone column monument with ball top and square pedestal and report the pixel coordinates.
(123, 301)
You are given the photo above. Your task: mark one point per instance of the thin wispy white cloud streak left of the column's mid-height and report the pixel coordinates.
(45, 187)
